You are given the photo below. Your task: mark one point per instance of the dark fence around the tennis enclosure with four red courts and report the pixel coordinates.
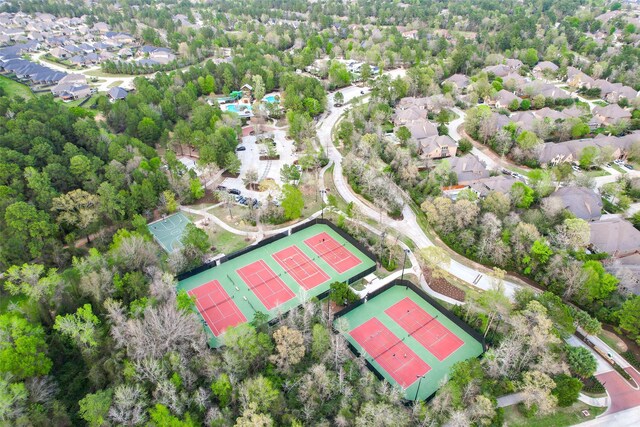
(282, 235)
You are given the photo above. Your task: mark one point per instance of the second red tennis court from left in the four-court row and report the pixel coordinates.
(267, 286)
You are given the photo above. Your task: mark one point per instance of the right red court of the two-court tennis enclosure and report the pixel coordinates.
(426, 329)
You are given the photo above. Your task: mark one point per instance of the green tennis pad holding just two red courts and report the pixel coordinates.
(405, 338)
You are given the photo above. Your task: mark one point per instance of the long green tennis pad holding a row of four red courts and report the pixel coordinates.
(273, 279)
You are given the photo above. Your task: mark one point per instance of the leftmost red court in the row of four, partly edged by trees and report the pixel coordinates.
(216, 307)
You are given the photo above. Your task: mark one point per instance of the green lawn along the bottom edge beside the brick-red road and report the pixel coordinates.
(562, 417)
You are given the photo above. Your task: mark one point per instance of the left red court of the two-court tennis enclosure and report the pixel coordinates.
(393, 355)
